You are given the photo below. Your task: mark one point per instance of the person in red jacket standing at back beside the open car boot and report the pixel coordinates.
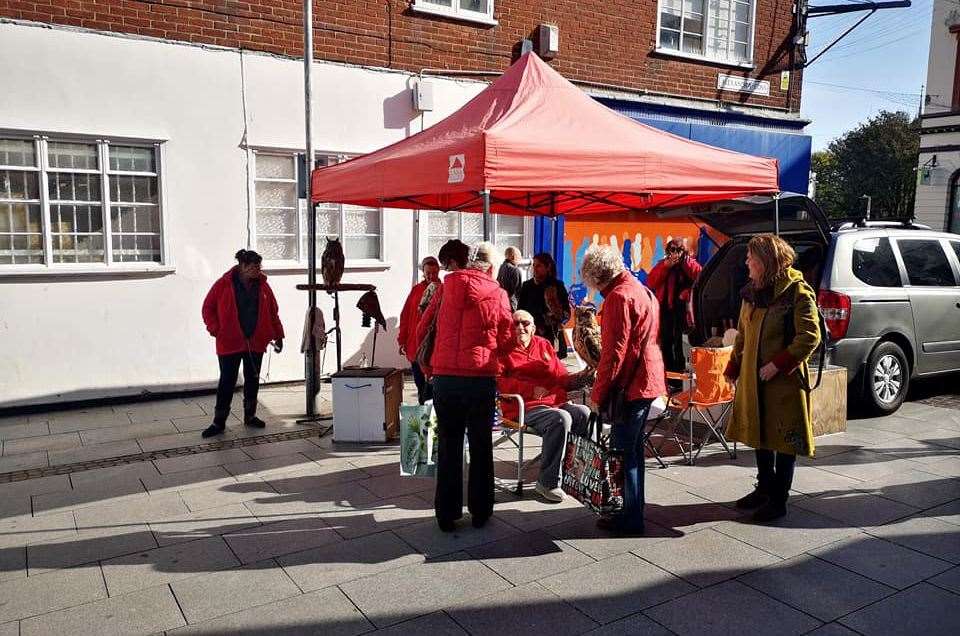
(671, 280)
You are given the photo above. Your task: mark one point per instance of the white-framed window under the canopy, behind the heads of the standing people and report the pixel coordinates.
(441, 227)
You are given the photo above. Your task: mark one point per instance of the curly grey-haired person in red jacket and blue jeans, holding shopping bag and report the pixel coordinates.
(630, 364)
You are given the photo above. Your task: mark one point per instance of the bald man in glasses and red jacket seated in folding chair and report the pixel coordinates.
(532, 369)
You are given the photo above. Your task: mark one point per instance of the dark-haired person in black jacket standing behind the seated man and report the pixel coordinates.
(545, 297)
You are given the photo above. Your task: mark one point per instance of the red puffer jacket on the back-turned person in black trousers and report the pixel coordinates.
(473, 323)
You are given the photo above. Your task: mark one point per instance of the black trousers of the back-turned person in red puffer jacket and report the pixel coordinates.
(464, 404)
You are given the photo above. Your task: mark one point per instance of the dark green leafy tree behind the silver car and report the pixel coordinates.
(879, 159)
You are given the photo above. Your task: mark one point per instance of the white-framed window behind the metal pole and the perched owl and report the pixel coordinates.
(280, 224)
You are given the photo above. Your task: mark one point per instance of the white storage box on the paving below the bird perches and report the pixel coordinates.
(366, 404)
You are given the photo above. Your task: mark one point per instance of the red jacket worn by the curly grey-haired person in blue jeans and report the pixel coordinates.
(629, 328)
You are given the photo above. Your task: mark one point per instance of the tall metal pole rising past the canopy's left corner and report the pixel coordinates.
(310, 359)
